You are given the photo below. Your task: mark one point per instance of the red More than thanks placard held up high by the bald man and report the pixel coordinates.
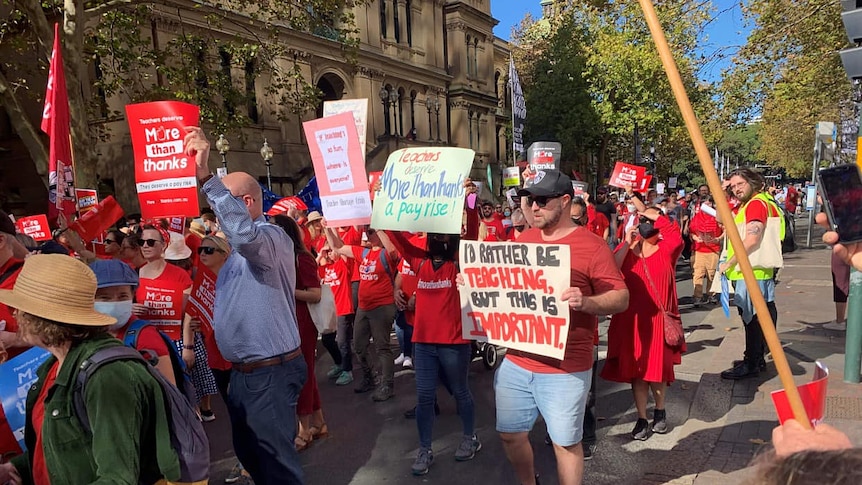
(164, 175)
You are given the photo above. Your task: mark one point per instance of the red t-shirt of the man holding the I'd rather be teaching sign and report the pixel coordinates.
(594, 271)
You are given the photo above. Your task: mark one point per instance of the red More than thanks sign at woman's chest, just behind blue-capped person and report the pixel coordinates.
(164, 303)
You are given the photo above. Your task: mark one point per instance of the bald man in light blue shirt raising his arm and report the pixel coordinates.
(255, 323)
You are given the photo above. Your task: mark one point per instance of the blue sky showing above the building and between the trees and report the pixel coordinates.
(723, 35)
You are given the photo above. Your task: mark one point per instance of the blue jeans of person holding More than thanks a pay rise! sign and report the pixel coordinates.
(453, 361)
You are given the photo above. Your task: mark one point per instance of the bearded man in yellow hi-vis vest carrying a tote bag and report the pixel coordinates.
(749, 187)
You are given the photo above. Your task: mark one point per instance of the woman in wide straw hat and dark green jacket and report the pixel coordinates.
(130, 440)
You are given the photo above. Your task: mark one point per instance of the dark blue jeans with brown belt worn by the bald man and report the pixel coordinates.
(256, 401)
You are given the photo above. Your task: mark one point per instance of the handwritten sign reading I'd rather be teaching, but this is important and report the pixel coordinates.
(512, 295)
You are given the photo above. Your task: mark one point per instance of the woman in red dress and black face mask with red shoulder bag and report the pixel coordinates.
(637, 352)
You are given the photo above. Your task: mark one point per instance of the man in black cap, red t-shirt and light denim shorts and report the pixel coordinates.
(528, 384)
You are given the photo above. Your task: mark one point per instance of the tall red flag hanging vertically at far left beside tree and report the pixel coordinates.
(55, 122)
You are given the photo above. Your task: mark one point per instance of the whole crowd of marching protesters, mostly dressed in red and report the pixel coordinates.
(260, 351)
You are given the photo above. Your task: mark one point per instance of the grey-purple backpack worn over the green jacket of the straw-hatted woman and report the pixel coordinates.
(188, 438)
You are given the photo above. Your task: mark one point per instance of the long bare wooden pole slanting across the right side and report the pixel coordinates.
(724, 211)
